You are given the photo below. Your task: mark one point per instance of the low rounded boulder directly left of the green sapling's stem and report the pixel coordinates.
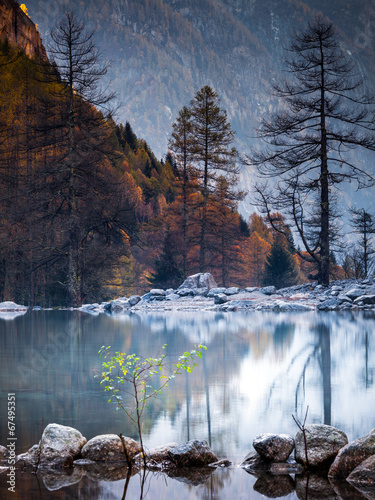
(109, 448)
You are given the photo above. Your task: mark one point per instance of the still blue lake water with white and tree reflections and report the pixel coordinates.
(259, 369)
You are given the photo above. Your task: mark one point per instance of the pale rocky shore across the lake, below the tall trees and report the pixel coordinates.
(200, 293)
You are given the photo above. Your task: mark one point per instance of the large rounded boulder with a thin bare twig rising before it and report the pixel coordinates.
(323, 444)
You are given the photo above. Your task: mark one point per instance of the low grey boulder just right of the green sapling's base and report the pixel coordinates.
(192, 454)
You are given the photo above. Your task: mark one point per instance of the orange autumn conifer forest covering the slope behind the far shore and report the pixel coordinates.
(89, 213)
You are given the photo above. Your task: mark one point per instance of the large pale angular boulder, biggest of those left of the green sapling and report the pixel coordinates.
(59, 446)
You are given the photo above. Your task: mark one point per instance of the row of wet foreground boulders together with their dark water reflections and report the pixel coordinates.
(319, 459)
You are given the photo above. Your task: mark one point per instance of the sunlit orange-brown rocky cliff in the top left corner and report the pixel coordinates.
(18, 29)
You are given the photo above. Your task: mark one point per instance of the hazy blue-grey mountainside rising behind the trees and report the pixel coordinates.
(163, 51)
